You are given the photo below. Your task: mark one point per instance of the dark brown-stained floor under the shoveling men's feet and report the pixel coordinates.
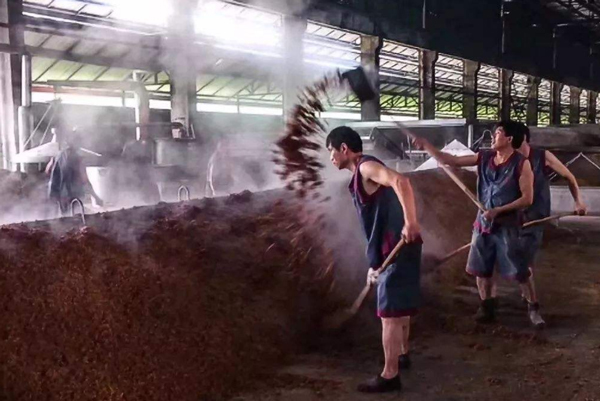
(455, 359)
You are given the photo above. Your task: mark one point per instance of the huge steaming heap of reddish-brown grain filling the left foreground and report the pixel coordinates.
(164, 303)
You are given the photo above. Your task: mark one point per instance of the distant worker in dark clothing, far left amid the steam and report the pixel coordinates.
(68, 177)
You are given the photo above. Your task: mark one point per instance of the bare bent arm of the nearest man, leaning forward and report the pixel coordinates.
(401, 185)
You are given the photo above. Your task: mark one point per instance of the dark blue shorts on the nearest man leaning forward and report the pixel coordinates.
(399, 286)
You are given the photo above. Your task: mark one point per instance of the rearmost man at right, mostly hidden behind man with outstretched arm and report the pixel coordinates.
(542, 162)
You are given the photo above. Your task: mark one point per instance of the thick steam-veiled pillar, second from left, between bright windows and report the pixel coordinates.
(182, 76)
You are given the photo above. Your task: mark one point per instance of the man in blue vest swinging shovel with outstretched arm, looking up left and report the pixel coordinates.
(505, 188)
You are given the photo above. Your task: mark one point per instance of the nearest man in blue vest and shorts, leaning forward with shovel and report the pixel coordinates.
(385, 203)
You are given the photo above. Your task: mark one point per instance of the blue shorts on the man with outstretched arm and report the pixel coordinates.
(501, 247)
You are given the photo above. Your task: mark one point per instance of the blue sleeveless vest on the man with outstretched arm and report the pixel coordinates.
(498, 186)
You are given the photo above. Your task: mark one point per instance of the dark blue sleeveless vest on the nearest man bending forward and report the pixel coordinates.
(381, 215)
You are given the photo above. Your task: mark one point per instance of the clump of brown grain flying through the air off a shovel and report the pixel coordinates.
(297, 152)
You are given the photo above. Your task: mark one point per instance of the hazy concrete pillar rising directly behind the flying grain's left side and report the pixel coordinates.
(293, 52)
